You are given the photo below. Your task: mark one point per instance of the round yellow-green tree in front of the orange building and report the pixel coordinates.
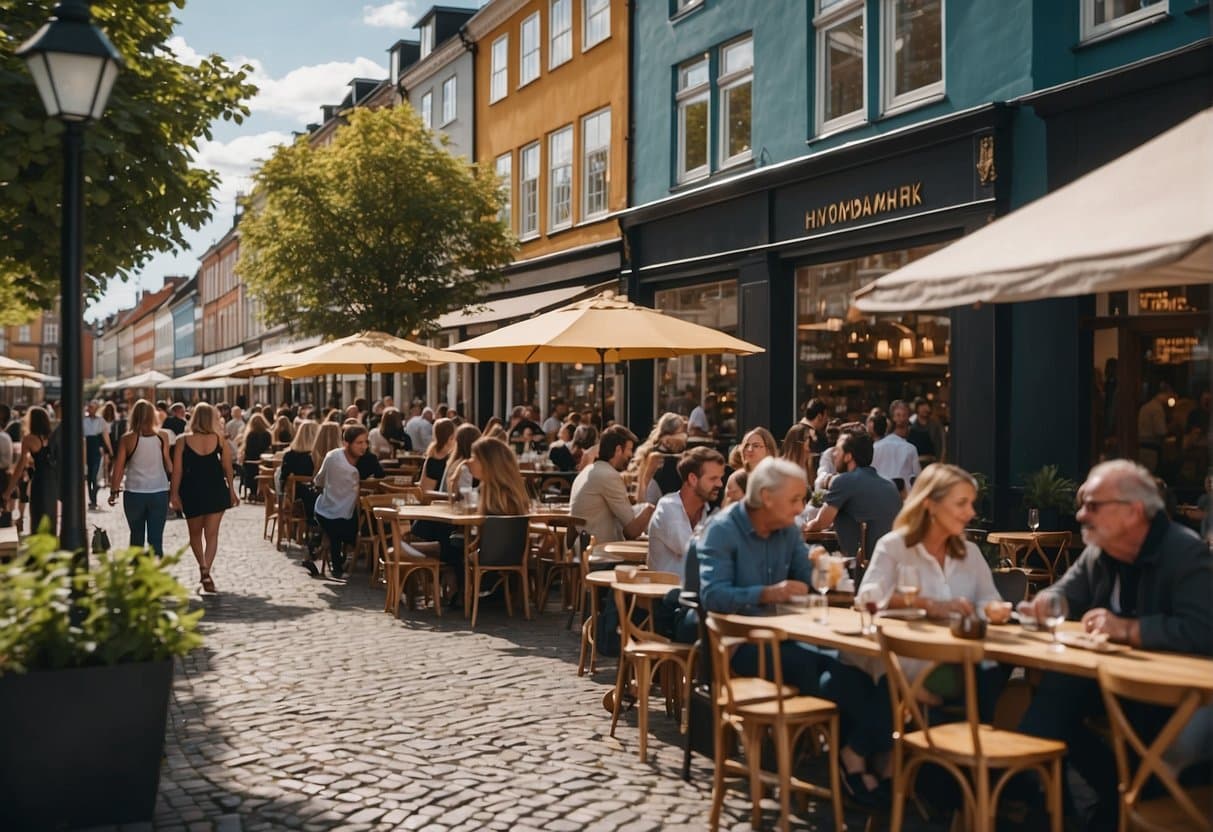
(380, 230)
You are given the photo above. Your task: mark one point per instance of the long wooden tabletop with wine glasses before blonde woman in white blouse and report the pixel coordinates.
(1006, 643)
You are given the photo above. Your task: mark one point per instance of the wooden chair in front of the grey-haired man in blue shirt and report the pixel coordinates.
(754, 708)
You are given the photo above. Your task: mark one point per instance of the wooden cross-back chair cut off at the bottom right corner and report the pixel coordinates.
(1180, 808)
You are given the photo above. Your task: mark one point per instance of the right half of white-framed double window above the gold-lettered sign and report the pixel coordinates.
(914, 53)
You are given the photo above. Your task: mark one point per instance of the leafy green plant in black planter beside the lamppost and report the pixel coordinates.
(86, 676)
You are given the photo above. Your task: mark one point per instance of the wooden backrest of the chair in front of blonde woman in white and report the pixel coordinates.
(904, 692)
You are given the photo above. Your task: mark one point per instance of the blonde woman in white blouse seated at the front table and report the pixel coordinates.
(927, 538)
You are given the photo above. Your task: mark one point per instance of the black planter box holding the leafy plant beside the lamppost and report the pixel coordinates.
(82, 748)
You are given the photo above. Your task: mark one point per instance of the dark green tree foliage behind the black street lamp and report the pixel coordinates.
(143, 192)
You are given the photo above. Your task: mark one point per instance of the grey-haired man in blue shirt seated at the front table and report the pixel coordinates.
(753, 556)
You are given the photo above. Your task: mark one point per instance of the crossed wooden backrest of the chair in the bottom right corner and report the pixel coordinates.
(1129, 745)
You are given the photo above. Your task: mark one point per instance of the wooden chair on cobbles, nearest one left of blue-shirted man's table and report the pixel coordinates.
(643, 653)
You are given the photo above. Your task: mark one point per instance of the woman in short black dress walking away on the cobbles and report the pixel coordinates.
(203, 487)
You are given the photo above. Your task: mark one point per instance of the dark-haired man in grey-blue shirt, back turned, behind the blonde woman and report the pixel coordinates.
(858, 495)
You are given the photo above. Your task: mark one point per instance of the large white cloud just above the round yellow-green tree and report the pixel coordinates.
(300, 94)
